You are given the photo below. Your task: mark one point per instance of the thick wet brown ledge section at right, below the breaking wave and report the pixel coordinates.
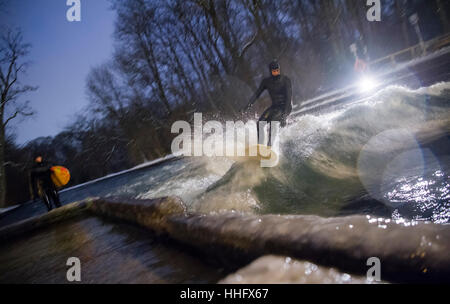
(408, 252)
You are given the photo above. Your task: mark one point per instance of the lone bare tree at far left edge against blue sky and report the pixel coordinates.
(12, 67)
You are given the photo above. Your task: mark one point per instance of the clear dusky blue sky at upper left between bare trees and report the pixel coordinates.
(62, 54)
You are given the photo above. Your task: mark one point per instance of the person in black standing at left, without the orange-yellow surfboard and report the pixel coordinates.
(41, 184)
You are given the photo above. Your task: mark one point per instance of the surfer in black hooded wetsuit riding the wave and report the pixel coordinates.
(280, 91)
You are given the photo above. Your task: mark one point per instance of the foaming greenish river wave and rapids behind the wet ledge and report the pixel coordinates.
(387, 156)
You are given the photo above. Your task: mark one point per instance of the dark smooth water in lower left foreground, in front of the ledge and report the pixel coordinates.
(108, 252)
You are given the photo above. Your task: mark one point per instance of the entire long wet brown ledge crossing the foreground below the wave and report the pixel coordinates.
(409, 252)
